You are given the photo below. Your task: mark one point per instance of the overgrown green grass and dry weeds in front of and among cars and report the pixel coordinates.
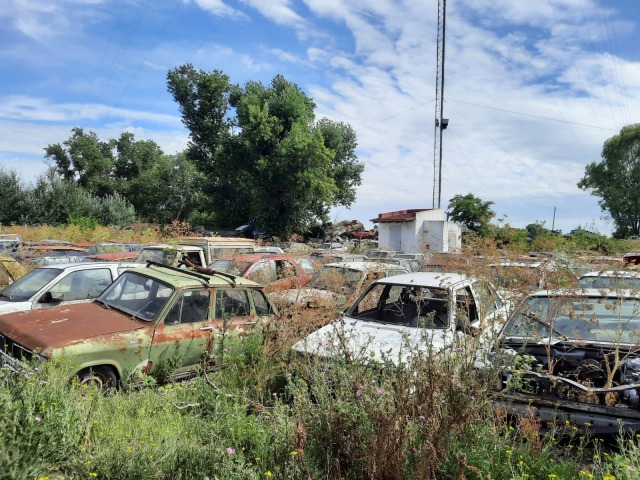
(265, 413)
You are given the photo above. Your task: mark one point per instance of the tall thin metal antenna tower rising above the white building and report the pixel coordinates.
(441, 123)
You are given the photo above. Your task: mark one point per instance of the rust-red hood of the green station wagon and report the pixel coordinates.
(58, 327)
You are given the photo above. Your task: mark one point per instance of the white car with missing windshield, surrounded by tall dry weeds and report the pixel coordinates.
(400, 315)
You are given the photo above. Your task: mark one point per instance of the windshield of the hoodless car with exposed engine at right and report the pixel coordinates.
(615, 320)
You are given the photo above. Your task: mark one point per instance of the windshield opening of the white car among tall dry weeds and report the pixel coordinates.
(408, 305)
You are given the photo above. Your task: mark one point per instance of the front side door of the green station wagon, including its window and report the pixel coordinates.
(183, 337)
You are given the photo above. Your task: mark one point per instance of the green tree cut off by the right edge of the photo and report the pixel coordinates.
(616, 180)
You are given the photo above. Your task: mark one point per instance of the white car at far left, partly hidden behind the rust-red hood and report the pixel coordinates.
(61, 284)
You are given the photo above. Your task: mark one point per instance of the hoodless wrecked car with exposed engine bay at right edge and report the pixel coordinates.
(573, 356)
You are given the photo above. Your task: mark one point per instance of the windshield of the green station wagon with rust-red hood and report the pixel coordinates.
(138, 295)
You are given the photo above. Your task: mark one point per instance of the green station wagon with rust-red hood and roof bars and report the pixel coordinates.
(147, 317)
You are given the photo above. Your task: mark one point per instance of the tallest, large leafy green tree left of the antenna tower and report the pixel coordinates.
(270, 161)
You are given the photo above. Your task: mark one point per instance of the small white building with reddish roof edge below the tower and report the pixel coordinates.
(420, 230)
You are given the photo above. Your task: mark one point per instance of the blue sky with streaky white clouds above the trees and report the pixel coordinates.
(532, 90)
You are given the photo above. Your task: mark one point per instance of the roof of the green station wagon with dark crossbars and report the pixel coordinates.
(187, 278)
